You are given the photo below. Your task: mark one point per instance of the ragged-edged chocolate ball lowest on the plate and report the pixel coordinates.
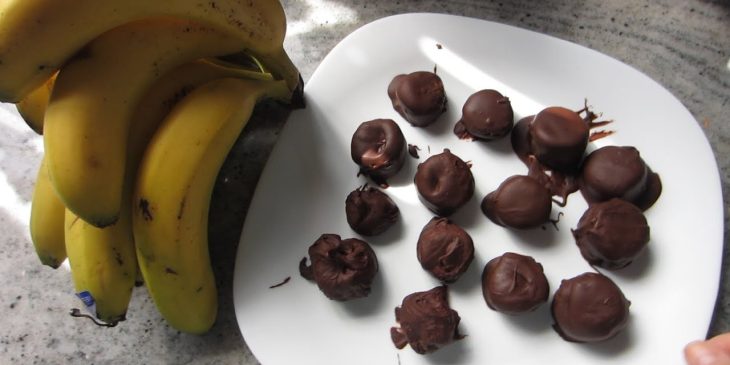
(426, 321)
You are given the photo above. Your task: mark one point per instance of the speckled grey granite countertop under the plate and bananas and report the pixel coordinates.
(683, 45)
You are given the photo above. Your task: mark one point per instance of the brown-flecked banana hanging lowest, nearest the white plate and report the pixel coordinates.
(173, 191)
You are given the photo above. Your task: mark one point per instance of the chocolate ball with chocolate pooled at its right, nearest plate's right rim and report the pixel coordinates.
(618, 172)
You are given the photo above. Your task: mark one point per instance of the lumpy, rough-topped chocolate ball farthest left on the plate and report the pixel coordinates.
(342, 269)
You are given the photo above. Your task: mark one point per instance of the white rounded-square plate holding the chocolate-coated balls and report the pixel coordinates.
(302, 191)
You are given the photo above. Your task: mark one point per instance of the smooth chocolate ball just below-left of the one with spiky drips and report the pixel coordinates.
(520, 202)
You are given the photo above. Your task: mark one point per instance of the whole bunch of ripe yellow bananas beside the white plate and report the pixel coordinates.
(139, 103)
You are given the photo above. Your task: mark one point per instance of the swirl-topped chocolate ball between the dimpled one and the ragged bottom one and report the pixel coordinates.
(444, 249)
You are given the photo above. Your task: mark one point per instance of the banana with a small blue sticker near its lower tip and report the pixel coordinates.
(103, 264)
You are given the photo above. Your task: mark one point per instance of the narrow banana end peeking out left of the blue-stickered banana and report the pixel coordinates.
(46, 221)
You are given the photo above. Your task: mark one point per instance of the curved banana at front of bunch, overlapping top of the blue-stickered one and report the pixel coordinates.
(87, 122)
